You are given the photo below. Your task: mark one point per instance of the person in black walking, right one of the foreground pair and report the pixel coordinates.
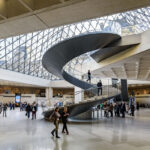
(65, 115)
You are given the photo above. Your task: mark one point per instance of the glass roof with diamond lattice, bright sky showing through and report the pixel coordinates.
(23, 53)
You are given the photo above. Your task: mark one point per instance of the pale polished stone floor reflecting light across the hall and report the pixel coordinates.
(19, 133)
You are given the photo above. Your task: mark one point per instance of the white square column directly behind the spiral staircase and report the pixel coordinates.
(78, 94)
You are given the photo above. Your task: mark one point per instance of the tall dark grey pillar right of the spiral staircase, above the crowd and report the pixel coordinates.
(124, 89)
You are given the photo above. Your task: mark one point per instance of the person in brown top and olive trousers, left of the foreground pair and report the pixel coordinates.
(56, 117)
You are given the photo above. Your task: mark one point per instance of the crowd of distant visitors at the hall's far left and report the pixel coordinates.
(23, 107)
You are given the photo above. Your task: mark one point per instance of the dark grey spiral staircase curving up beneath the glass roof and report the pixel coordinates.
(60, 54)
